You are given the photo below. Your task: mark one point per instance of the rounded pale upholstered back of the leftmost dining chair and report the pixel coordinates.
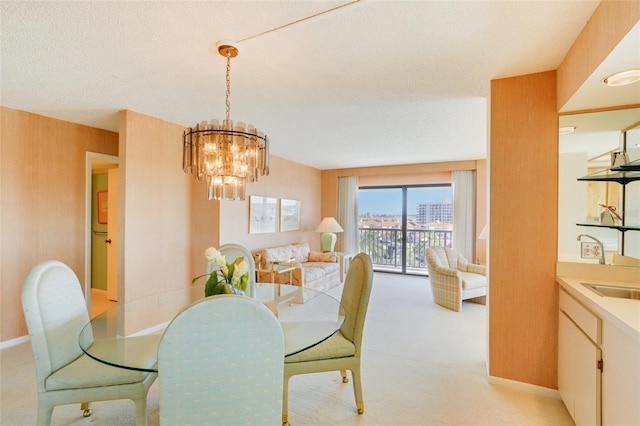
(55, 312)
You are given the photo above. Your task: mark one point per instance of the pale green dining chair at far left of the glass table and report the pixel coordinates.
(55, 311)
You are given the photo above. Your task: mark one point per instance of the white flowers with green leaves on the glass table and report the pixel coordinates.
(224, 278)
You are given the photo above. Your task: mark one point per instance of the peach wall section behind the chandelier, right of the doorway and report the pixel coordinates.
(161, 217)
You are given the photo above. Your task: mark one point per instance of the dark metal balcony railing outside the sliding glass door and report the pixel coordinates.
(385, 246)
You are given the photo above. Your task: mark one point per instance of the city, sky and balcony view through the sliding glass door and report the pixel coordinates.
(396, 225)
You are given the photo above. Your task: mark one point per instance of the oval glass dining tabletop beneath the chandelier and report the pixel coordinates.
(128, 334)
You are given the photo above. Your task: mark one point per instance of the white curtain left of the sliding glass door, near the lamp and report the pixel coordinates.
(348, 213)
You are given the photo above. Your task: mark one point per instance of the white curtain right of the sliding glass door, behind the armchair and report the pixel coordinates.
(464, 212)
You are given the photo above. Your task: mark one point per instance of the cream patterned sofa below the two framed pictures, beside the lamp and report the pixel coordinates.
(313, 270)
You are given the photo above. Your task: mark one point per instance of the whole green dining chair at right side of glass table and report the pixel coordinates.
(342, 350)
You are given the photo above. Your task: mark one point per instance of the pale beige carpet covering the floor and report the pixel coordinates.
(422, 365)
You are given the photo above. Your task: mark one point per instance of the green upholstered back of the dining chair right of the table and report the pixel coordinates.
(355, 298)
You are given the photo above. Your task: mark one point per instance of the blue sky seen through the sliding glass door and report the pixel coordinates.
(389, 201)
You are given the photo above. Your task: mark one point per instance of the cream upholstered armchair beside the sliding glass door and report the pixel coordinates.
(454, 279)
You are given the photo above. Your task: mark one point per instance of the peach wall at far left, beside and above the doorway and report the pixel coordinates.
(42, 199)
